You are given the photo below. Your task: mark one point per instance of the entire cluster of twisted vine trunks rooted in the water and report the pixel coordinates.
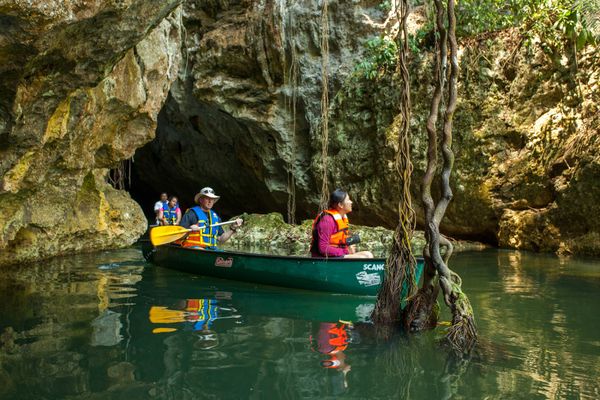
(421, 309)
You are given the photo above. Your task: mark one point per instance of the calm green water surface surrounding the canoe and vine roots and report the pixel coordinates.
(109, 326)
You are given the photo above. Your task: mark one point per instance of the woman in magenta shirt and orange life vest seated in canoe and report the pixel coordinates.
(330, 230)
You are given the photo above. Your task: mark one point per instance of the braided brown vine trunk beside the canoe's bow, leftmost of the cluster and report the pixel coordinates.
(400, 265)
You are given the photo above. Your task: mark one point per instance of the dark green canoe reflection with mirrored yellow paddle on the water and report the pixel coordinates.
(173, 293)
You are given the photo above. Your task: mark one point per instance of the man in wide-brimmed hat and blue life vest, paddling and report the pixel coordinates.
(201, 220)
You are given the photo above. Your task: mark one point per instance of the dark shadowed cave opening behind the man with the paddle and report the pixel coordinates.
(190, 152)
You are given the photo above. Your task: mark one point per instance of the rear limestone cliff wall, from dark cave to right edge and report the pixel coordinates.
(525, 152)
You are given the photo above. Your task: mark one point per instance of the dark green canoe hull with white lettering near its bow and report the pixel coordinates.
(337, 275)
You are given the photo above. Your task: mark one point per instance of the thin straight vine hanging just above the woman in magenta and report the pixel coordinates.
(324, 104)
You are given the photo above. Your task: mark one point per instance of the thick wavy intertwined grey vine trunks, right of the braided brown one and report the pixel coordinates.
(421, 310)
